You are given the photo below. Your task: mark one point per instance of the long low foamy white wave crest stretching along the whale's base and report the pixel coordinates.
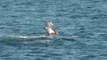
(37, 37)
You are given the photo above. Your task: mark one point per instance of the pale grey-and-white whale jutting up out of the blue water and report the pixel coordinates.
(51, 28)
